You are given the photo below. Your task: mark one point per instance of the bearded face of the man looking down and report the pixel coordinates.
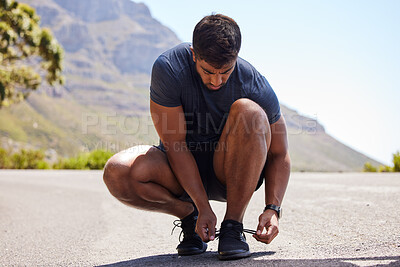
(213, 78)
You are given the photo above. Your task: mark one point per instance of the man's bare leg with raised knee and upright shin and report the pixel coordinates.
(245, 138)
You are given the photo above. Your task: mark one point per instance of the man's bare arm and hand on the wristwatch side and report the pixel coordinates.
(276, 179)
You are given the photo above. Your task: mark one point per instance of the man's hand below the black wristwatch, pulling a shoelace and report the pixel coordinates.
(268, 220)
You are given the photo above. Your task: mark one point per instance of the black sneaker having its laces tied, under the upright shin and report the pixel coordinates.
(232, 242)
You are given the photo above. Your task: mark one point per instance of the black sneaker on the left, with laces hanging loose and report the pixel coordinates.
(191, 243)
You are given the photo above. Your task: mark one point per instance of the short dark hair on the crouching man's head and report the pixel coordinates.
(217, 40)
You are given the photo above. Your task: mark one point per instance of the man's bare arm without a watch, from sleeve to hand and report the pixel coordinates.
(171, 127)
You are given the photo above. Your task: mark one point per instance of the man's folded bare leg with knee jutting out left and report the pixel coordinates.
(141, 177)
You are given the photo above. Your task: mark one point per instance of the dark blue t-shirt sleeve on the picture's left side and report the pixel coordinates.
(164, 86)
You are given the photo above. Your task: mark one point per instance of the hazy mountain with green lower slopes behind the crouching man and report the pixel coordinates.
(110, 46)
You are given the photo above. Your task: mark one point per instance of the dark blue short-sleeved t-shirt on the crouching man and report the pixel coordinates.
(175, 82)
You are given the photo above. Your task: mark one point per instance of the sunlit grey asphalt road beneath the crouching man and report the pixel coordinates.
(68, 218)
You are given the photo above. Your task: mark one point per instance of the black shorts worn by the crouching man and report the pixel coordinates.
(203, 154)
